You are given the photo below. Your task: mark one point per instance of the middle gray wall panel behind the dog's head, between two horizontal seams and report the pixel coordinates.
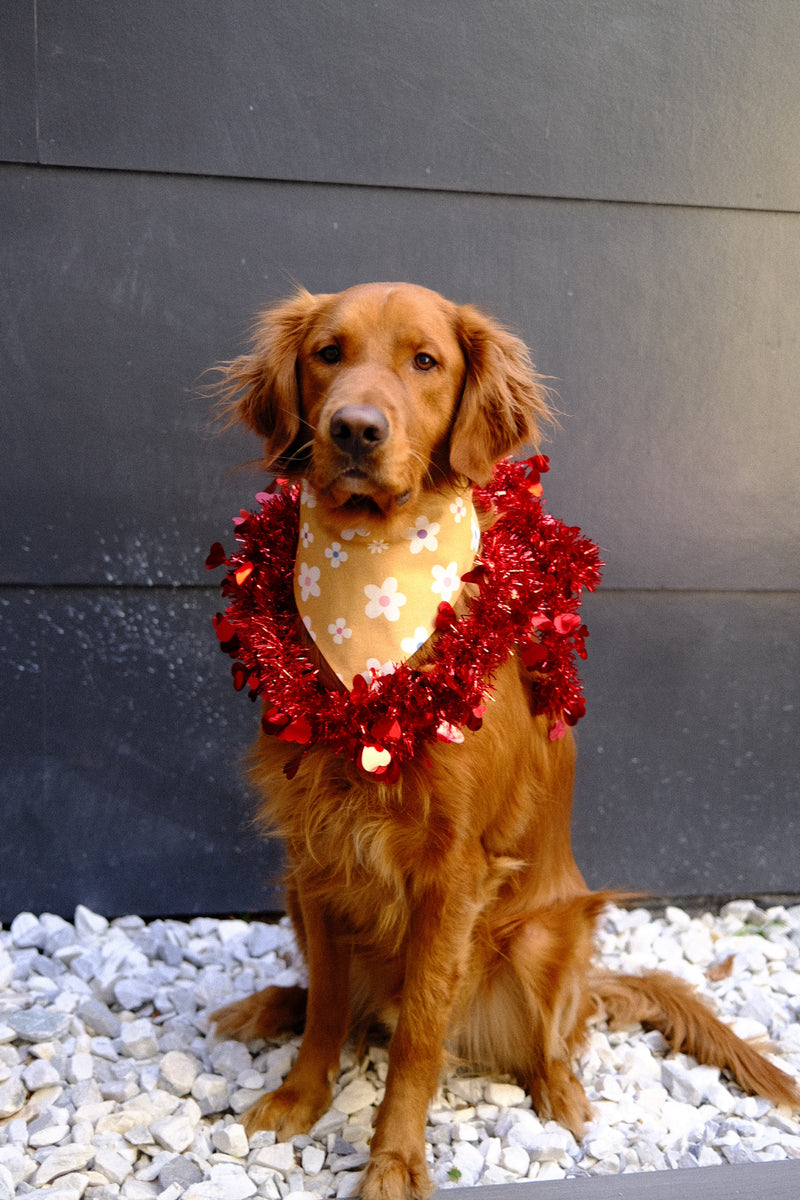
(672, 337)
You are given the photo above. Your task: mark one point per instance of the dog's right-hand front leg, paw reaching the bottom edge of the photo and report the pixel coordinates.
(438, 946)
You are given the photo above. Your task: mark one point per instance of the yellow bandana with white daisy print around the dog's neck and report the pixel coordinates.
(370, 604)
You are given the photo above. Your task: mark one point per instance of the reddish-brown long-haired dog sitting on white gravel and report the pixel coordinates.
(447, 904)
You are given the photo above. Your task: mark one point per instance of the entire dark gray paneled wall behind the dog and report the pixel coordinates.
(618, 182)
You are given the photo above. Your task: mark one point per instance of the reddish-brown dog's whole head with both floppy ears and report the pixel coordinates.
(383, 392)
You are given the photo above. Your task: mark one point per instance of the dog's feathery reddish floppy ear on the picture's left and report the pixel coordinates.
(261, 389)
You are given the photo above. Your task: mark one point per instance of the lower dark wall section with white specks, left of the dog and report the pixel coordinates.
(119, 760)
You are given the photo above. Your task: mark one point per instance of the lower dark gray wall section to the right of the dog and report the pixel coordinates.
(689, 773)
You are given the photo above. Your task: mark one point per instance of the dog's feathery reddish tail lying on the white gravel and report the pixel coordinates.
(665, 1003)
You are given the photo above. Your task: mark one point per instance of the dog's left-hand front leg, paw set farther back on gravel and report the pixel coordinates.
(306, 1091)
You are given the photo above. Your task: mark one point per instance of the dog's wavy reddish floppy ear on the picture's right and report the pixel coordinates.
(504, 401)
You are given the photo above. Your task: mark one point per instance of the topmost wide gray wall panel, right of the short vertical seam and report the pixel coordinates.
(660, 101)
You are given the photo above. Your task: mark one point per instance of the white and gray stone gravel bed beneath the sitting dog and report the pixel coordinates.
(113, 1085)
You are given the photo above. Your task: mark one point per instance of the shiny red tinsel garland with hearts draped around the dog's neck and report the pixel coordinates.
(531, 573)
